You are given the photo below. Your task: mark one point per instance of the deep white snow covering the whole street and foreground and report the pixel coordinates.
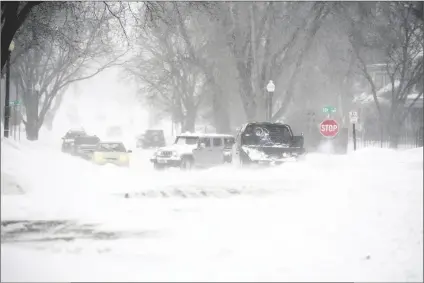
(347, 218)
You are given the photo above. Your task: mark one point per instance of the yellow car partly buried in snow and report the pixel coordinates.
(111, 152)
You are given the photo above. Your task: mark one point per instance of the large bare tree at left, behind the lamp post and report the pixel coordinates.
(65, 54)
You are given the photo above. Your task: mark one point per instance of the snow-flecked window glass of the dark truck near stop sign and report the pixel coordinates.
(266, 135)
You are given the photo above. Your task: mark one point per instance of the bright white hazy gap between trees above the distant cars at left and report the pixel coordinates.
(103, 101)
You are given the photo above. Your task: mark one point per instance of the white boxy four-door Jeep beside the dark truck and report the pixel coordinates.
(194, 150)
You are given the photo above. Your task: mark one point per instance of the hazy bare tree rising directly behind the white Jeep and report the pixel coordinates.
(170, 81)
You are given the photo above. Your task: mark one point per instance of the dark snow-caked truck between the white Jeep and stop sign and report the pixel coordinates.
(267, 143)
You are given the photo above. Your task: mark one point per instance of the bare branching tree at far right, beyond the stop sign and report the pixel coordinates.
(399, 34)
